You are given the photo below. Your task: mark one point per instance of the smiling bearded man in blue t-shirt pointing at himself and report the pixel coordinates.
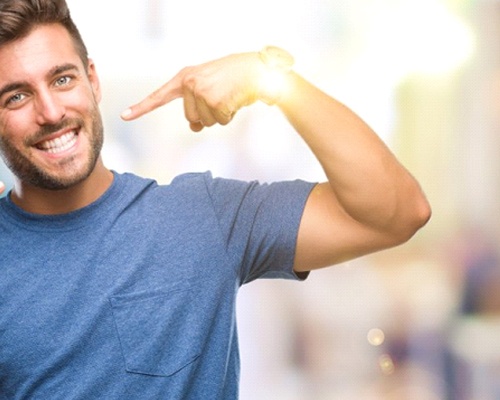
(114, 287)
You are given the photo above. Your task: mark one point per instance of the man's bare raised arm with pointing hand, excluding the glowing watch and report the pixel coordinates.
(370, 201)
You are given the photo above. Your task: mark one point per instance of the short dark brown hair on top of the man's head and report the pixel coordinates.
(19, 17)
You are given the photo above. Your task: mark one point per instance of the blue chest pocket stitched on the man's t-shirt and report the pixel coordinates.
(160, 332)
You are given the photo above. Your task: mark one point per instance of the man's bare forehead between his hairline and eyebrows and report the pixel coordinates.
(38, 52)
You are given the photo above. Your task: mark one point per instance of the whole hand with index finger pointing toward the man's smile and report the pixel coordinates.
(213, 92)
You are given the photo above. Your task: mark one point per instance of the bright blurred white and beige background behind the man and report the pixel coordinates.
(421, 321)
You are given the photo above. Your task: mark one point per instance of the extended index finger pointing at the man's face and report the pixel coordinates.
(165, 94)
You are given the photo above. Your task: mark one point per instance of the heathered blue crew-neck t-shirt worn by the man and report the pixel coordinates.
(133, 296)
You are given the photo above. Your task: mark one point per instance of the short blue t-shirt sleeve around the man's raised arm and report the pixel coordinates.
(259, 224)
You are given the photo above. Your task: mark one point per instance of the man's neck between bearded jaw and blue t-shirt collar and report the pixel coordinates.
(50, 202)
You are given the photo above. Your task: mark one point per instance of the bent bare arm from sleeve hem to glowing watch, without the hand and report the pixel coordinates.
(370, 201)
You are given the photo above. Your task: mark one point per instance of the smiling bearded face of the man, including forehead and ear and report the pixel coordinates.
(50, 127)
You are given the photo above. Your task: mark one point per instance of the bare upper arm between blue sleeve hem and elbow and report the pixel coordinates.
(328, 235)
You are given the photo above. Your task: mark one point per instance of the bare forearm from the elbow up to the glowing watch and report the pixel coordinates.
(369, 183)
